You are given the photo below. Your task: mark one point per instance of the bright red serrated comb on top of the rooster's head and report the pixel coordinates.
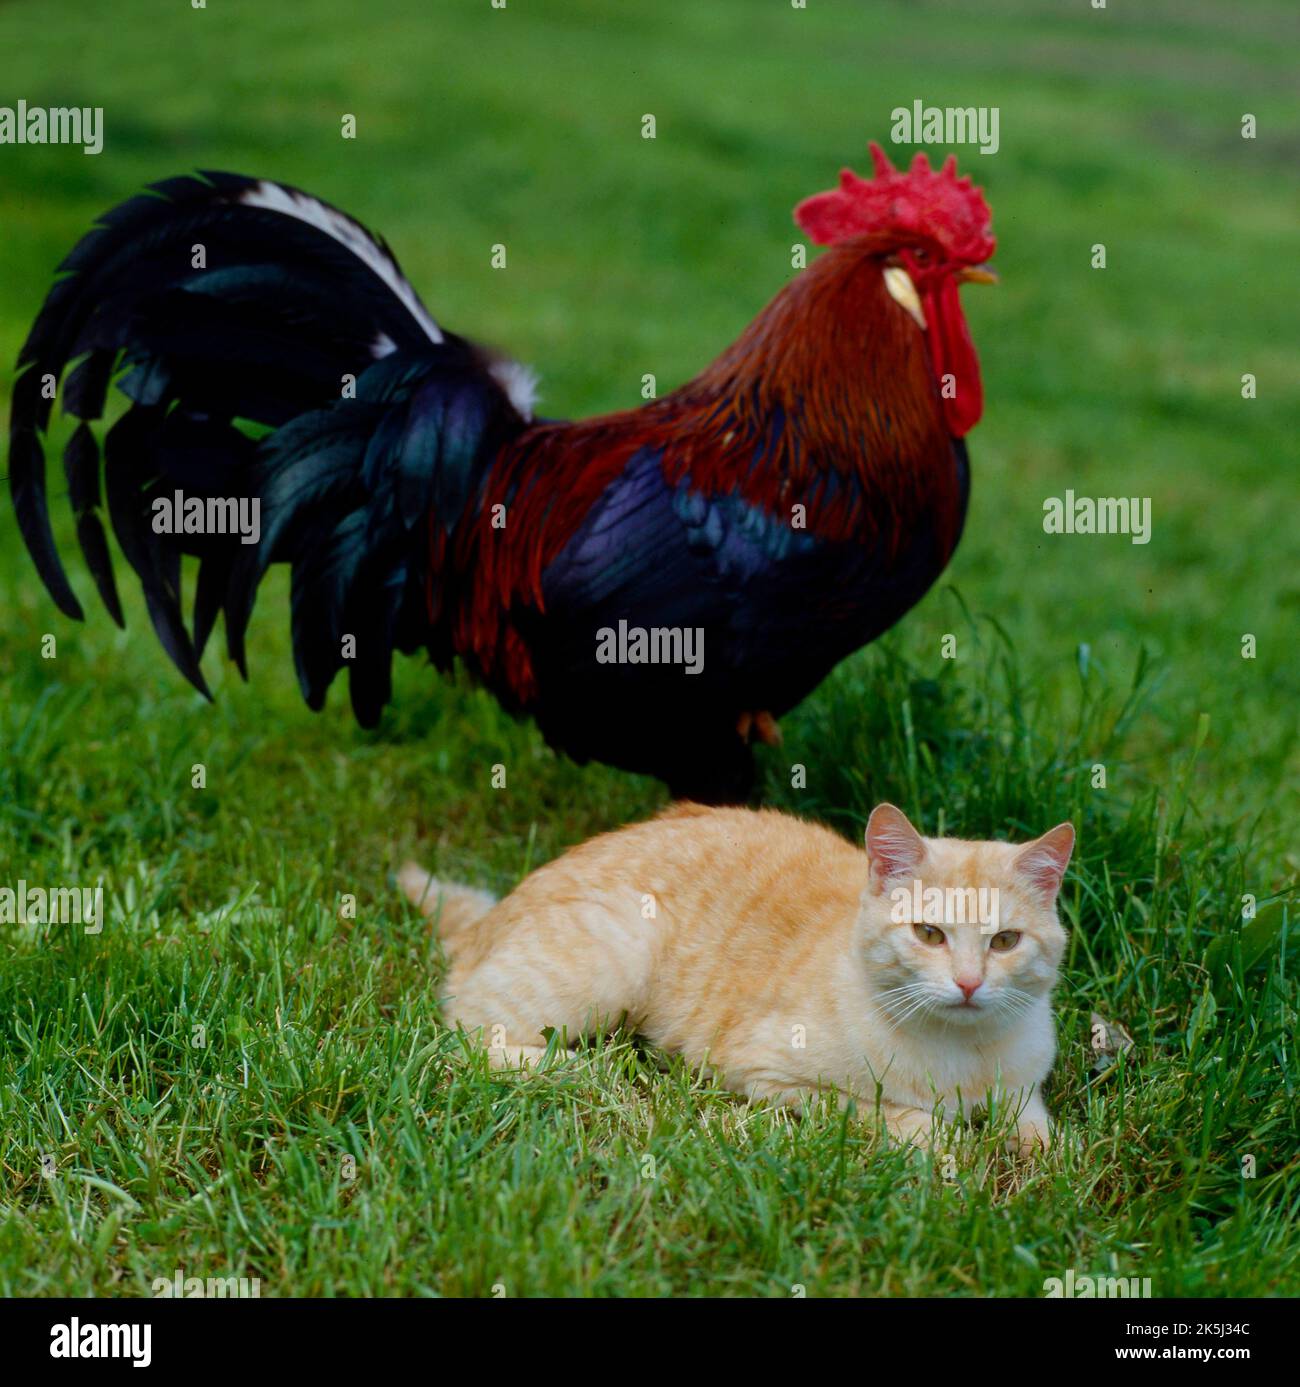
(921, 203)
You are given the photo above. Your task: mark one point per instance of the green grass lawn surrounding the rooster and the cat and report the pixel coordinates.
(321, 1034)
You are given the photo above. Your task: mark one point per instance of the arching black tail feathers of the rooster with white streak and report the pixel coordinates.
(228, 309)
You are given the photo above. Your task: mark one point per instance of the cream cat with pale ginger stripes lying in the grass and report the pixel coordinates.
(918, 974)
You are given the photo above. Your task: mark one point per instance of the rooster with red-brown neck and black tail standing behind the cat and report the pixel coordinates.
(782, 510)
